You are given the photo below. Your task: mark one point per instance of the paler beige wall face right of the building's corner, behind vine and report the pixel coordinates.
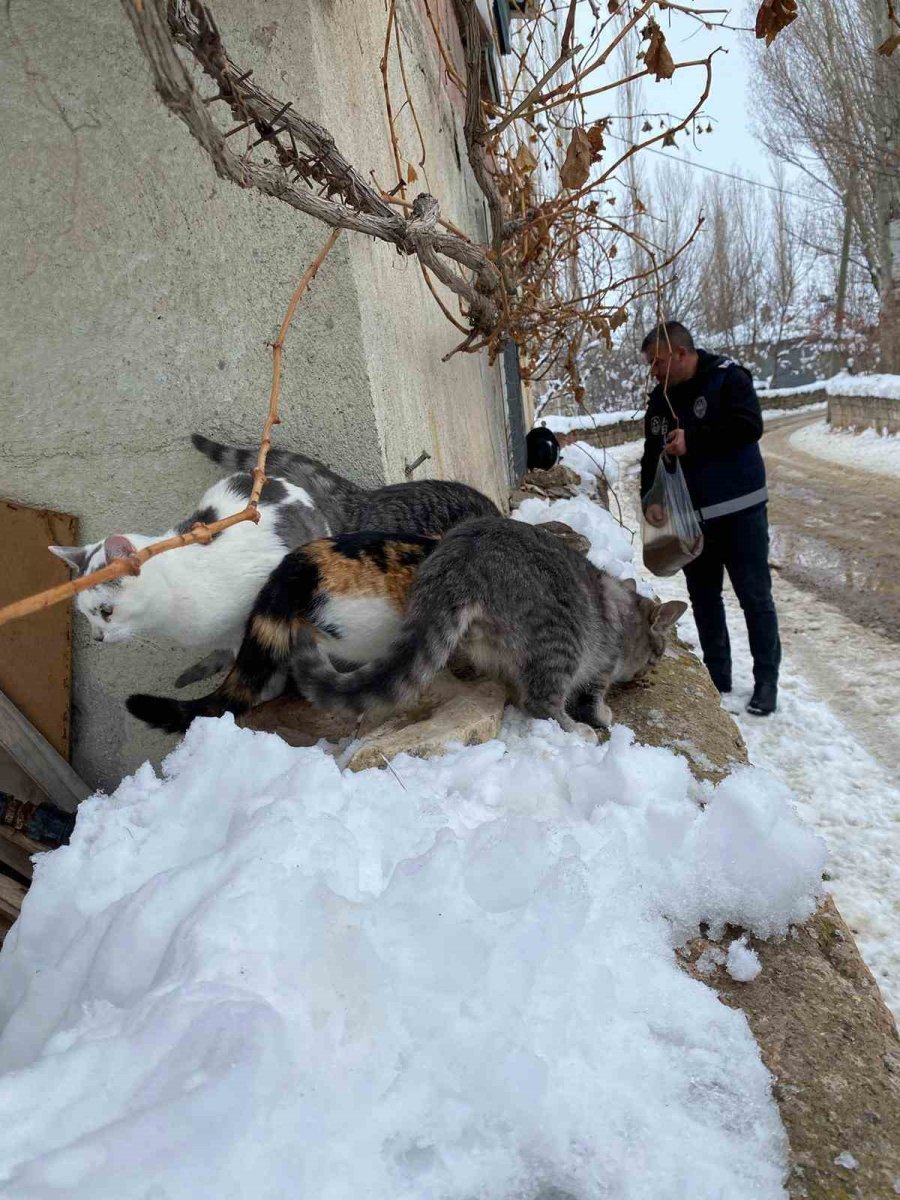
(421, 403)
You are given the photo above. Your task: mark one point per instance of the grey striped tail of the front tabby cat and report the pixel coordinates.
(425, 644)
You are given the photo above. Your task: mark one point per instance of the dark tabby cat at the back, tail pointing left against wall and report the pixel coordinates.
(428, 506)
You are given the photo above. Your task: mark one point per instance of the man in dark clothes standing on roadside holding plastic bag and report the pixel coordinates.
(704, 411)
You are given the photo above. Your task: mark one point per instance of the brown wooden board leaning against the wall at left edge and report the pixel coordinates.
(37, 651)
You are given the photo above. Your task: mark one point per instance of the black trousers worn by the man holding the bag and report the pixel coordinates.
(740, 545)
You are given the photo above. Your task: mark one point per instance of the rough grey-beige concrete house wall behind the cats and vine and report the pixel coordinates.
(142, 292)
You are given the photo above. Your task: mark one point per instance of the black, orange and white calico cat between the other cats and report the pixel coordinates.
(341, 597)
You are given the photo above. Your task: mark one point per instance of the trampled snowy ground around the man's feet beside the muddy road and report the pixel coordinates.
(835, 741)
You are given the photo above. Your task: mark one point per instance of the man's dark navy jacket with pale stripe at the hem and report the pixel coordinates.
(721, 416)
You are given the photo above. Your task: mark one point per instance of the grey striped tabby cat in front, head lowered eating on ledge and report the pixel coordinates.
(520, 607)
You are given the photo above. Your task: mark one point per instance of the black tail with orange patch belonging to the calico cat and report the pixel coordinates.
(277, 626)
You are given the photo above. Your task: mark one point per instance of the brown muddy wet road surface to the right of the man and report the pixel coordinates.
(836, 532)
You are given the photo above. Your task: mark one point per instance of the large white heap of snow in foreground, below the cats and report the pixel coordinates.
(259, 976)
